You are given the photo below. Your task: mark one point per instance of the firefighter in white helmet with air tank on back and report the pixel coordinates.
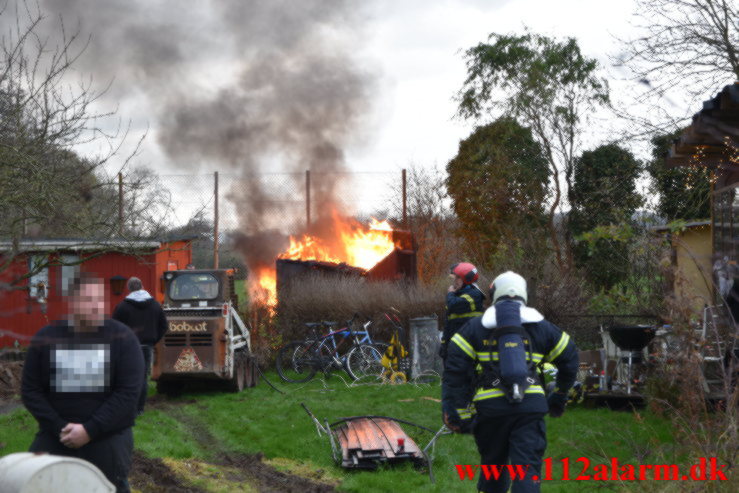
(508, 428)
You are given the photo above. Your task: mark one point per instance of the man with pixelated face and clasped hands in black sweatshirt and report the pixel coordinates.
(81, 380)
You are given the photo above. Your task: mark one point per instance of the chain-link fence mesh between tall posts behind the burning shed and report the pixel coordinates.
(280, 200)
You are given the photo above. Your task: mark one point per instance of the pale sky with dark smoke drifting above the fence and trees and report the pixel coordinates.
(256, 87)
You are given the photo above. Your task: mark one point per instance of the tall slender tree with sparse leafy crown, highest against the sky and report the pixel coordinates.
(548, 86)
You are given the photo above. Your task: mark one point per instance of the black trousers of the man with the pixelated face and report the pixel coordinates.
(112, 454)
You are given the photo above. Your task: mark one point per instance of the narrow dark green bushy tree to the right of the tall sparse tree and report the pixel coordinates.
(604, 195)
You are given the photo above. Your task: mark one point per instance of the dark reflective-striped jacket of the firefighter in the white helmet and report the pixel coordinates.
(471, 348)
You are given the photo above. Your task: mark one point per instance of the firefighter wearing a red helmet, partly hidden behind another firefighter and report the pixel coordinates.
(463, 301)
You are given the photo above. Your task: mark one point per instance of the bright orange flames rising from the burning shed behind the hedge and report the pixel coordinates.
(352, 243)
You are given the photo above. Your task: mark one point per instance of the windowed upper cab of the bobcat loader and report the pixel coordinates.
(198, 288)
